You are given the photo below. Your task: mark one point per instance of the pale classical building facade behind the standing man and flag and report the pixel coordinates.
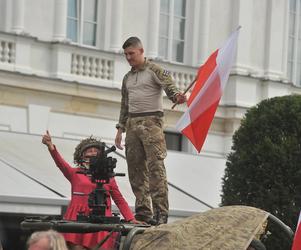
(61, 68)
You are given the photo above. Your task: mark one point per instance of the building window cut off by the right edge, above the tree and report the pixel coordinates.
(294, 42)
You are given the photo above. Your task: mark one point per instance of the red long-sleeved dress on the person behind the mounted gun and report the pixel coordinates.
(81, 187)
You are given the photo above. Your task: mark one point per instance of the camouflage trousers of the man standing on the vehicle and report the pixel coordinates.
(145, 153)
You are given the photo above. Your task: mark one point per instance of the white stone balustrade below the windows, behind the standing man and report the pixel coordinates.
(73, 63)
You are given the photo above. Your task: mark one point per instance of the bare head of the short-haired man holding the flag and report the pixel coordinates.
(134, 52)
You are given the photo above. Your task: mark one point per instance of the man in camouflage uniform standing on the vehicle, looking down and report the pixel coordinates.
(141, 118)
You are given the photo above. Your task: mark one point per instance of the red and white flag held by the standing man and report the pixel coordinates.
(207, 92)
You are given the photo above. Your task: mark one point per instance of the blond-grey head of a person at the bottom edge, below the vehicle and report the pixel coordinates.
(46, 240)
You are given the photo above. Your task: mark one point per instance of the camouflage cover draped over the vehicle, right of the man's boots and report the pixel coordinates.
(224, 228)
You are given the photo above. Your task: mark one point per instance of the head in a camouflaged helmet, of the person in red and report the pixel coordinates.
(85, 149)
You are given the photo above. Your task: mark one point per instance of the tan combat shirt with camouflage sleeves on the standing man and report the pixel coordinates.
(142, 90)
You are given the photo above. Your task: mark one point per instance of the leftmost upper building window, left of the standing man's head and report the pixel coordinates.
(82, 21)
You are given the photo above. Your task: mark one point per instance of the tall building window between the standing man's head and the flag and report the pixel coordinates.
(172, 30)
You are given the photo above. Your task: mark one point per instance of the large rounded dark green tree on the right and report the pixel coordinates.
(264, 167)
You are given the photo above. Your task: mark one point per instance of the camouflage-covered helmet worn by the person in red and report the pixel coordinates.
(84, 145)
